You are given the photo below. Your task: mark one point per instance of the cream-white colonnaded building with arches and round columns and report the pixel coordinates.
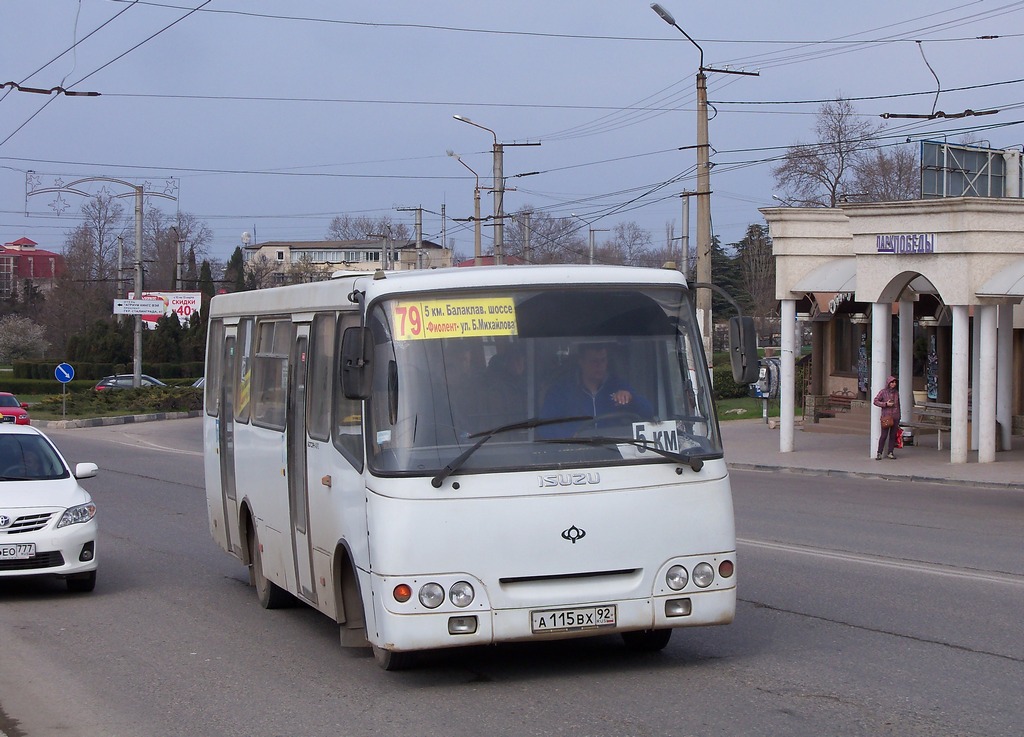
(947, 271)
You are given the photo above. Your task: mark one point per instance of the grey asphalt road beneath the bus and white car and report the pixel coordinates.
(867, 609)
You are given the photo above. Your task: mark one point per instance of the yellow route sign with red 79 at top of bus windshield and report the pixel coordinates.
(475, 317)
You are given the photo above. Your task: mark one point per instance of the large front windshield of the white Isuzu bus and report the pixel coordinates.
(537, 379)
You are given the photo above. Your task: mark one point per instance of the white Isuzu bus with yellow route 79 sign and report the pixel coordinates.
(474, 456)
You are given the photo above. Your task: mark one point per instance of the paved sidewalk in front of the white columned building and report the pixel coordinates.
(752, 446)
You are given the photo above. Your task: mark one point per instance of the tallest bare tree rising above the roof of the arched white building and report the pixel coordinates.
(818, 175)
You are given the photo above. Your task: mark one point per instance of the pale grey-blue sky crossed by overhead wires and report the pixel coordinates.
(273, 118)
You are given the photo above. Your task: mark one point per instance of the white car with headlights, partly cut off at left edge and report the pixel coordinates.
(48, 521)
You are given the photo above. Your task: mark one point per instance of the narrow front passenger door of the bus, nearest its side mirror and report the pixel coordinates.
(298, 498)
